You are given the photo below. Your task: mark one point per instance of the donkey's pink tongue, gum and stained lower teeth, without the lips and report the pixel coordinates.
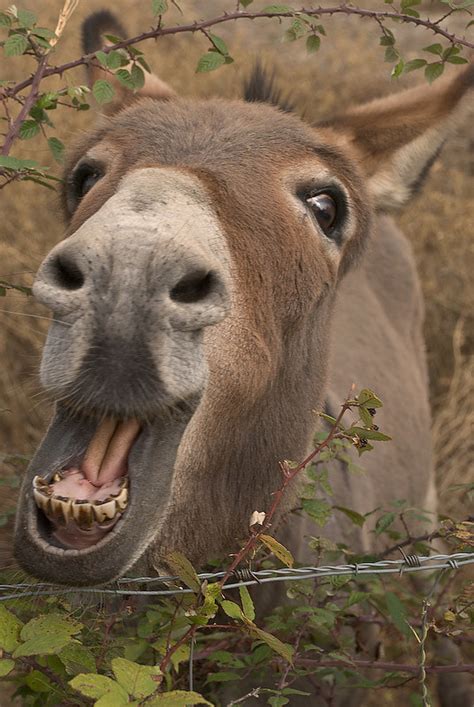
(83, 502)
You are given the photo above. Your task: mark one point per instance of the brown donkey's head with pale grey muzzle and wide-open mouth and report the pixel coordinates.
(191, 299)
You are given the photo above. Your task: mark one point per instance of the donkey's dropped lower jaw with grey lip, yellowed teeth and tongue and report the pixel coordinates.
(78, 554)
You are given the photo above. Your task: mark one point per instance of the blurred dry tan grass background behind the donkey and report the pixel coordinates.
(349, 68)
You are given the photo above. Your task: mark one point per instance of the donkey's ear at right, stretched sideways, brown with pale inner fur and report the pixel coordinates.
(398, 138)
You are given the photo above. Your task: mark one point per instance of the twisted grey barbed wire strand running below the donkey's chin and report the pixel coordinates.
(246, 577)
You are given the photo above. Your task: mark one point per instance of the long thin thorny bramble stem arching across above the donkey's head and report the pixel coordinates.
(160, 31)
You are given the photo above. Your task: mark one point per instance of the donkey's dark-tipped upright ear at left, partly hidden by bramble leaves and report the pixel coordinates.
(94, 29)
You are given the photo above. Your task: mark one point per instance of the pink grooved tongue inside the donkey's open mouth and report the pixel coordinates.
(106, 455)
